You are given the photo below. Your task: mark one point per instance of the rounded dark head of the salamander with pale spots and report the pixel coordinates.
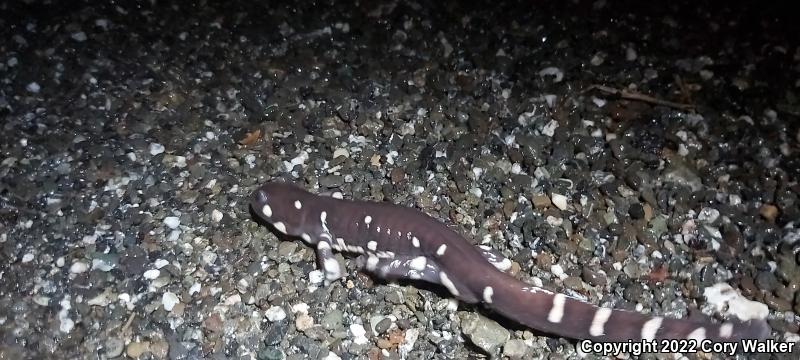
(281, 205)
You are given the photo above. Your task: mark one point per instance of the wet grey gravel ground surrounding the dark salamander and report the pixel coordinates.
(134, 134)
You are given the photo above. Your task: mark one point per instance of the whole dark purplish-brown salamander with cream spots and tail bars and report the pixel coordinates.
(396, 242)
